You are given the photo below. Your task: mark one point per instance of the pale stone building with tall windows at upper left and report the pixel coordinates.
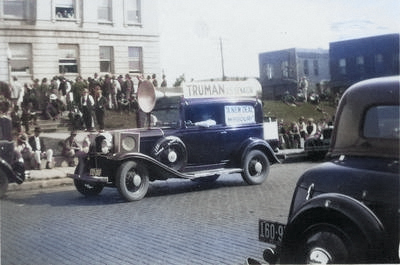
(44, 38)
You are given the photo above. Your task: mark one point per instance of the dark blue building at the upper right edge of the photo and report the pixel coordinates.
(355, 60)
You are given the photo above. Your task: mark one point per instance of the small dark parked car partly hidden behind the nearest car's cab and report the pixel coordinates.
(317, 147)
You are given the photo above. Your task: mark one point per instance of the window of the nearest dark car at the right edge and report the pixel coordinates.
(382, 122)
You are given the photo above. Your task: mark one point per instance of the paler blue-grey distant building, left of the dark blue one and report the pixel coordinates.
(281, 71)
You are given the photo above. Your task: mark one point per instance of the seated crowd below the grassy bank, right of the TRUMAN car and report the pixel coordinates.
(294, 134)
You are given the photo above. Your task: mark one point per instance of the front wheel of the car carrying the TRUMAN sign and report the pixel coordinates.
(132, 180)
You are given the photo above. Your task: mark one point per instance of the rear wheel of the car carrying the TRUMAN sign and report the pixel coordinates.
(255, 167)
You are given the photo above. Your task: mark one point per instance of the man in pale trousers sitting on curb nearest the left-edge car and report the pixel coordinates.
(39, 150)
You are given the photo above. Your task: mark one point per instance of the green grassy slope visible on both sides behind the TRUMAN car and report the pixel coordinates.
(276, 109)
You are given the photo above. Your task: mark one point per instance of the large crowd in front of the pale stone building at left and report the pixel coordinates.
(85, 101)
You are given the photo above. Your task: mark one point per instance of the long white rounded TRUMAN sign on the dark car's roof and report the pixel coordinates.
(247, 88)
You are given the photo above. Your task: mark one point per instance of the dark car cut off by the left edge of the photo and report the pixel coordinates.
(11, 166)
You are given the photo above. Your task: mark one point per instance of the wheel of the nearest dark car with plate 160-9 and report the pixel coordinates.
(323, 244)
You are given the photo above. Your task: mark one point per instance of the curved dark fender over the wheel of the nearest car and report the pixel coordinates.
(334, 204)
